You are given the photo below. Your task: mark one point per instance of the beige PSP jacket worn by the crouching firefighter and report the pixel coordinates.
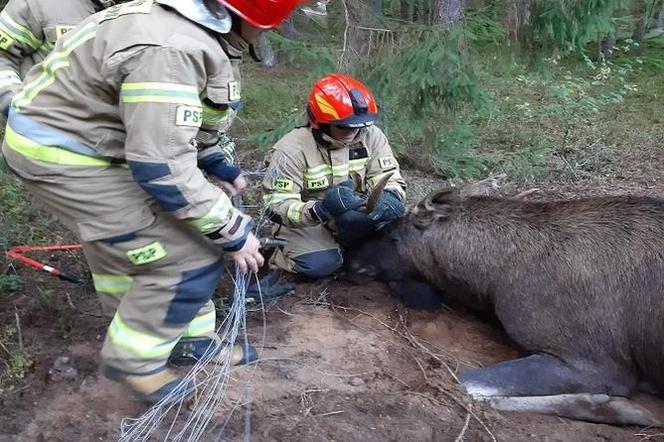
(301, 170)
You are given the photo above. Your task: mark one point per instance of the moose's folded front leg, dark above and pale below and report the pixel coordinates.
(544, 384)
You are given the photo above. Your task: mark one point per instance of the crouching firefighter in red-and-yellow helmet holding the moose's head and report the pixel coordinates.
(318, 177)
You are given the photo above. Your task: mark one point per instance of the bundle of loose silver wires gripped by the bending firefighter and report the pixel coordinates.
(176, 418)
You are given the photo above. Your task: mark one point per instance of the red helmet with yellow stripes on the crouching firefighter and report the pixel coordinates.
(342, 101)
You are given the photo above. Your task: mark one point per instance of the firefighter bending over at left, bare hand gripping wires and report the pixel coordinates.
(104, 134)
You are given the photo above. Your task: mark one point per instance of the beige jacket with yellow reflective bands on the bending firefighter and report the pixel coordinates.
(139, 104)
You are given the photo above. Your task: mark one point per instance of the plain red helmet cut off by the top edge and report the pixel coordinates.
(266, 14)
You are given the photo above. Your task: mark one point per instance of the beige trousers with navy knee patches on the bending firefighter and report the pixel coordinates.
(152, 272)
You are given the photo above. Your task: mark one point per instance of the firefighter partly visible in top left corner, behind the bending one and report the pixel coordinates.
(28, 32)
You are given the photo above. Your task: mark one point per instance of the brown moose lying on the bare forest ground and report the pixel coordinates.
(578, 284)
